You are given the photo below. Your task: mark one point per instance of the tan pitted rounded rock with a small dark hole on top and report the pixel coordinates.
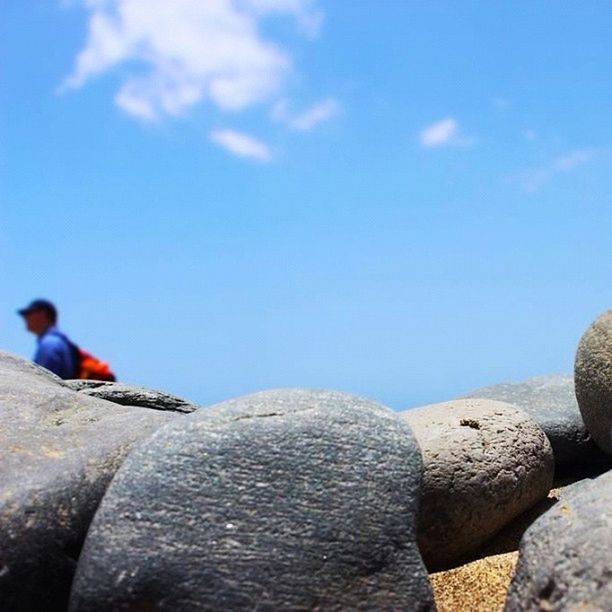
(484, 463)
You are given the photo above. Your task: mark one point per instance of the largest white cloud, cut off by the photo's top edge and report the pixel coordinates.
(177, 53)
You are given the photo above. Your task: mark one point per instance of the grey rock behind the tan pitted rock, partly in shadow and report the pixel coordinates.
(551, 401)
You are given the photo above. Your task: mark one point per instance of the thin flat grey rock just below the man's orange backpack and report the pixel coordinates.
(131, 395)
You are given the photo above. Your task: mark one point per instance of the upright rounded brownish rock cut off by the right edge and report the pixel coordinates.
(593, 380)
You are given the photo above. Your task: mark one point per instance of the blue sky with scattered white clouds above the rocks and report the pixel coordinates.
(403, 200)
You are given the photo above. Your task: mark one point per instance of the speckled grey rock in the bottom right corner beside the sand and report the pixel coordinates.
(565, 557)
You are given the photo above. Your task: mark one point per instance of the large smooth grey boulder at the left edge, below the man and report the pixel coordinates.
(58, 451)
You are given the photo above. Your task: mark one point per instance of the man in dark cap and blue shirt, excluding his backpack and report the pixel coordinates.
(53, 351)
